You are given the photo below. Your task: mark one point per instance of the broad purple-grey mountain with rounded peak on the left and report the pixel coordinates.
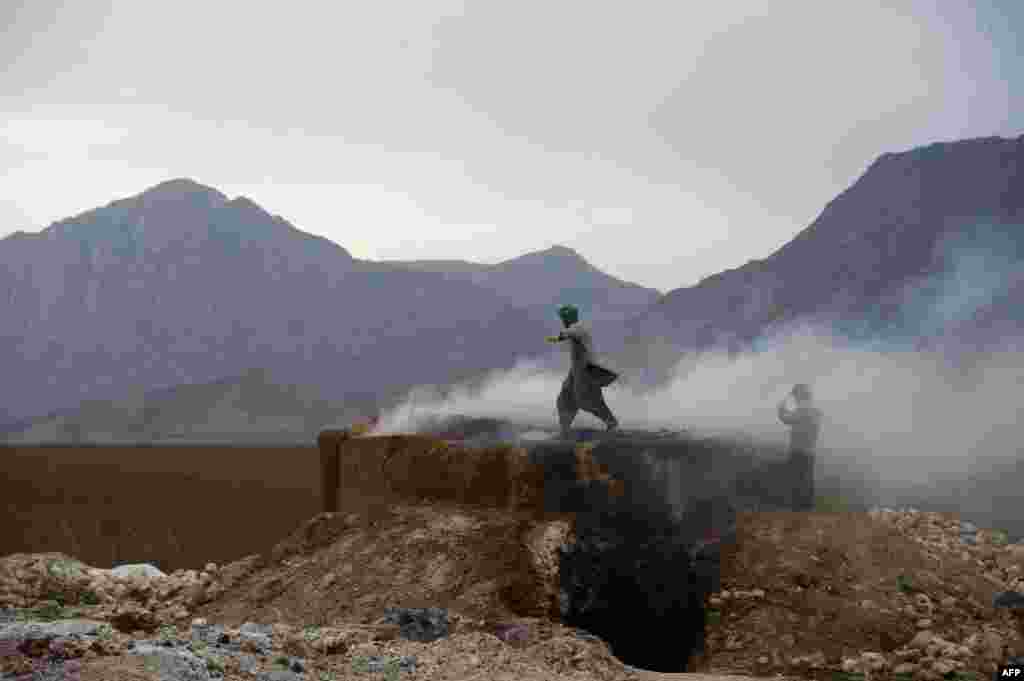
(181, 285)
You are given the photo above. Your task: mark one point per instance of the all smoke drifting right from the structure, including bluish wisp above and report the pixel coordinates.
(905, 417)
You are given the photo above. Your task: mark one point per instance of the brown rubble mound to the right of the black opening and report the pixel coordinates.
(891, 592)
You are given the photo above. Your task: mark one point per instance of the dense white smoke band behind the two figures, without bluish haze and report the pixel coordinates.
(906, 415)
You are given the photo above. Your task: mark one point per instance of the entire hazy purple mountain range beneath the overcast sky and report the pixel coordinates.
(886, 259)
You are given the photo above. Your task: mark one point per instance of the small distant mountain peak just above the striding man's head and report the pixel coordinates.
(543, 280)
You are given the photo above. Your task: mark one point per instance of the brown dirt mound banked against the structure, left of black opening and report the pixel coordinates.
(481, 564)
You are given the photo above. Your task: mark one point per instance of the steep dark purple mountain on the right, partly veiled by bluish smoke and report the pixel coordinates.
(926, 247)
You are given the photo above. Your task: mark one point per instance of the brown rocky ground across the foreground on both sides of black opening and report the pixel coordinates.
(891, 594)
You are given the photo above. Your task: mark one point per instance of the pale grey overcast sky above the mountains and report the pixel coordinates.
(664, 141)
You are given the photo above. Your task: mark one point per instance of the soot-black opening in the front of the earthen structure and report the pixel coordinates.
(638, 572)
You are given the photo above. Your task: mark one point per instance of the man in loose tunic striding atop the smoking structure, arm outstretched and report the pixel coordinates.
(582, 389)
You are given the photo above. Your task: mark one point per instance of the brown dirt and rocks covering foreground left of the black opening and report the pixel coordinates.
(327, 589)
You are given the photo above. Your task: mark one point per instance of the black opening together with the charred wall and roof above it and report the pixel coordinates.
(642, 563)
